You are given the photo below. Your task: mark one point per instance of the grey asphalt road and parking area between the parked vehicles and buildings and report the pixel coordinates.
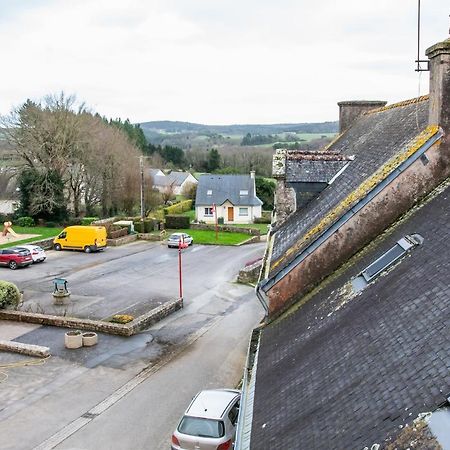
(128, 393)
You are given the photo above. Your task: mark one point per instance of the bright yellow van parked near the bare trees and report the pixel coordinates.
(86, 238)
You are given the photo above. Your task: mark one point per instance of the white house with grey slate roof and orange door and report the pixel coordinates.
(234, 197)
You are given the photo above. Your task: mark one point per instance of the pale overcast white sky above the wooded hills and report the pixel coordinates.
(216, 61)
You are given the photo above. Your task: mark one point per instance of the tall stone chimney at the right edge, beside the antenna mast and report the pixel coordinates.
(439, 56)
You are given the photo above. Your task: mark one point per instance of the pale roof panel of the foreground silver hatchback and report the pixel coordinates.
(211, 404)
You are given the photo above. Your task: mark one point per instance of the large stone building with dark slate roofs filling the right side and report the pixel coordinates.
(357, 278)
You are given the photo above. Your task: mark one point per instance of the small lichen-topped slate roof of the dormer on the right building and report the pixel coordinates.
(313, 167)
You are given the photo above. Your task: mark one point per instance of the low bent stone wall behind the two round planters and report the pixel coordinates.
(127, 329)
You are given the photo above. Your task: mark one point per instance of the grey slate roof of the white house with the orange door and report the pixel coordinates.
(226, 187)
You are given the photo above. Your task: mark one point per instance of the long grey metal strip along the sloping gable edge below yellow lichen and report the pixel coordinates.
(266, 284)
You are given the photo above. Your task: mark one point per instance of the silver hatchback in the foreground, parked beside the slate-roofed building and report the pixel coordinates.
(210, 421)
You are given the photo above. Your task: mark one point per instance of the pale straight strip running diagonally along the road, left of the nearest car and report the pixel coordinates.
(117, 395)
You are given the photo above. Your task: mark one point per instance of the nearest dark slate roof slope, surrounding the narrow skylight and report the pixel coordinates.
(345, 372)
